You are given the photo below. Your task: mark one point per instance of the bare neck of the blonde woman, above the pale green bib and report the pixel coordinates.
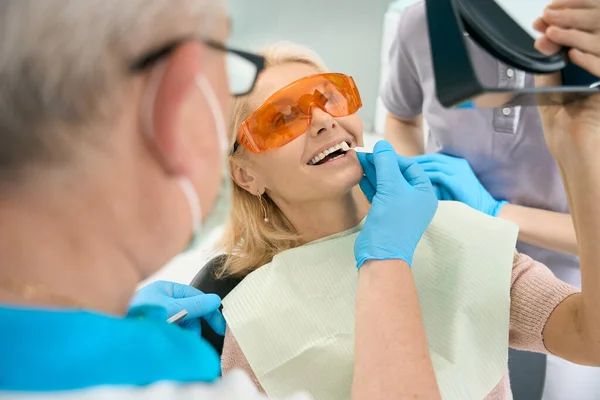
(316, 220)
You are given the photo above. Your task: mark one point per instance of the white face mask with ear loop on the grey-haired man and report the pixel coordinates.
(218, 213)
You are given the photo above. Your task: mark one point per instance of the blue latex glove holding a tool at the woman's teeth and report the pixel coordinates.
(403, 204)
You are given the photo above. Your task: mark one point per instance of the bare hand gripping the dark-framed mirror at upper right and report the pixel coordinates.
(574, 24)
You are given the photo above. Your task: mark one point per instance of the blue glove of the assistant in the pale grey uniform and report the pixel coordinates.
(458, 182)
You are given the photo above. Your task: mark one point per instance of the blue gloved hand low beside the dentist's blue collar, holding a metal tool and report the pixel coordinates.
(174, 297)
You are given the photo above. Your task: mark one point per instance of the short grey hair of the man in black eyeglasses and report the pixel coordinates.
(64, 63)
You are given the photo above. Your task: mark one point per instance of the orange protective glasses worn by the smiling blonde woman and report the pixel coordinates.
(287, 114)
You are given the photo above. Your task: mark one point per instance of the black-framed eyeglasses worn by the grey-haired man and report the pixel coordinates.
(242, 67)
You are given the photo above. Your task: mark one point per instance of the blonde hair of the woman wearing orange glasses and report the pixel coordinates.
(249, 241)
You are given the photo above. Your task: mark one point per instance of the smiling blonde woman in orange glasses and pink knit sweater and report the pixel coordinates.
(297, 189)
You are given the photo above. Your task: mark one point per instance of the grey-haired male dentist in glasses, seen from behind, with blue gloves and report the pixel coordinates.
(112, 134)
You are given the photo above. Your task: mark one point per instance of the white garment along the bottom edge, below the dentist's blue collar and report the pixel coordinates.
(234, 386)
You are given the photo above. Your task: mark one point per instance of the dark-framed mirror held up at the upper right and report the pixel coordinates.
(453, 22)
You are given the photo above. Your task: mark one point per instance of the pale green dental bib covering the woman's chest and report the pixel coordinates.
(294, 317)
